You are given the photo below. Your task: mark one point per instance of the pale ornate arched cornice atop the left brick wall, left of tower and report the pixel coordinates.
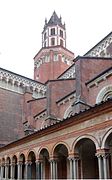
(18, 83)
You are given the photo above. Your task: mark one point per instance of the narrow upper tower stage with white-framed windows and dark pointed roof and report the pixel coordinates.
(54, 32)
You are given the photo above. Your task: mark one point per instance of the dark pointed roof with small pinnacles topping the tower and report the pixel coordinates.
(54, 20)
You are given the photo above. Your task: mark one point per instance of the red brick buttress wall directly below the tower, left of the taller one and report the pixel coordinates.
(57, 90)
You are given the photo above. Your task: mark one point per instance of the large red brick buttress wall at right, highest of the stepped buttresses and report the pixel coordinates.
(86, 69)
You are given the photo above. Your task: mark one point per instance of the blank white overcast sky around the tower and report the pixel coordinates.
(22, 22)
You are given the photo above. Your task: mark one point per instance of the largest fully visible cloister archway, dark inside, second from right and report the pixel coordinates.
(85, 153)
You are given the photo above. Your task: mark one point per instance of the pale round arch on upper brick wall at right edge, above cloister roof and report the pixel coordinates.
(104, 94)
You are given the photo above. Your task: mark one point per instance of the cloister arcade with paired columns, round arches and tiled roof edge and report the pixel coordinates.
(78, 148)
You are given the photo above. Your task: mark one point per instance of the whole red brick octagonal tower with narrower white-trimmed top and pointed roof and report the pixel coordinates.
(53, 58)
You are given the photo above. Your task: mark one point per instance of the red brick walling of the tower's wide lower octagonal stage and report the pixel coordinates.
(54, 68)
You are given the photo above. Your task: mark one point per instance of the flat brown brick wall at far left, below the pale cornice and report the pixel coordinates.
(11, 114)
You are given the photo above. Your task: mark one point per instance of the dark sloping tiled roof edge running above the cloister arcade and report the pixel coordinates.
(53, 127)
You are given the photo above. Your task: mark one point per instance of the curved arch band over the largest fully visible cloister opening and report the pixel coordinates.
(86, 136)
